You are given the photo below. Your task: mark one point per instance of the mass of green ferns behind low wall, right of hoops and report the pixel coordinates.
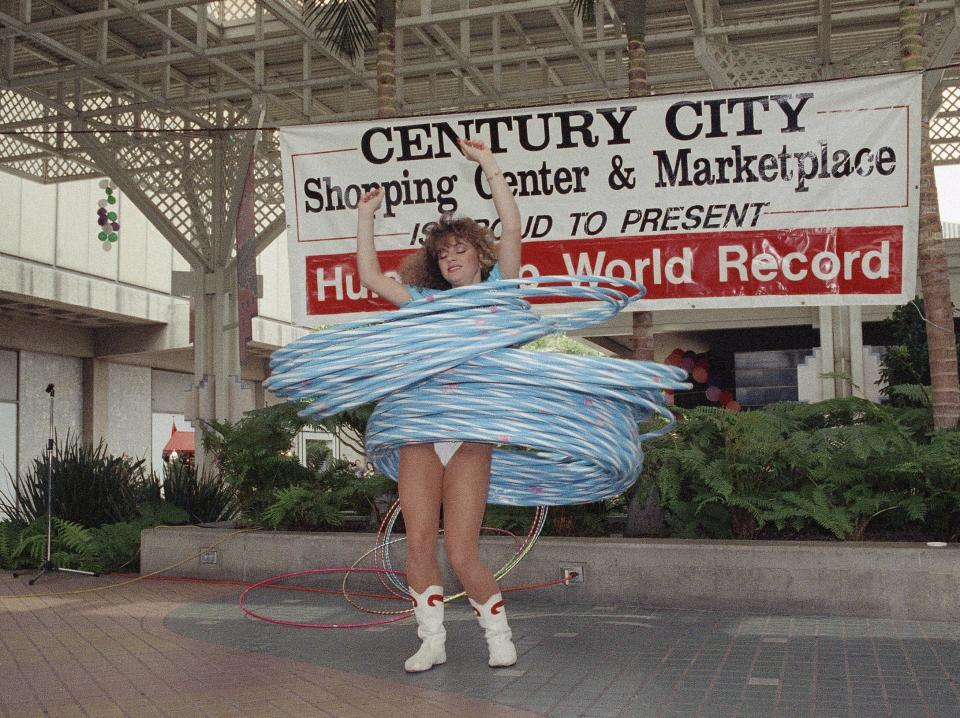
(841, 465)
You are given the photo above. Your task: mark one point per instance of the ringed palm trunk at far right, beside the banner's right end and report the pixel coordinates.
(931, 255)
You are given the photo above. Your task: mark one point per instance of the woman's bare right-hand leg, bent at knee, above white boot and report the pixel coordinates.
(465, 483)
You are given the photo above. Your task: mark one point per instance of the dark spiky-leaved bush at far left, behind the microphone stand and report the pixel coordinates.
(90, 486)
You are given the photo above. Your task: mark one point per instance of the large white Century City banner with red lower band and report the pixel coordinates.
(777, 196)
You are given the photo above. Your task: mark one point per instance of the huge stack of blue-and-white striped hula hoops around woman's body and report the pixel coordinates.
(565, 429)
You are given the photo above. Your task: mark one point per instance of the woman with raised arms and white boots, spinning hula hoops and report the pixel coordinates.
(451, 474)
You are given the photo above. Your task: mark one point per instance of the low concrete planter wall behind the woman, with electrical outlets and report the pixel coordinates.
(905, 581)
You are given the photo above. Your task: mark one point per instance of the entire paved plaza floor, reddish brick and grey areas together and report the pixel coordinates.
(164, 648)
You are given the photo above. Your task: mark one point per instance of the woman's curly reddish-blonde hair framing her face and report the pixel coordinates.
(421, 268)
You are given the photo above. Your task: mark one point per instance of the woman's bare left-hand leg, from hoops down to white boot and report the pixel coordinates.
(419, 485)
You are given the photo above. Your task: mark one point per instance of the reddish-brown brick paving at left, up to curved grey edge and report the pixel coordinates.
(110, 654)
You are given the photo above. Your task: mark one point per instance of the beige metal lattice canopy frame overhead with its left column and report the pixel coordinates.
(166, 96)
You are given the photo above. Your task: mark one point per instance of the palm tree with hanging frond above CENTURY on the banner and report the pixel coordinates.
(343, 26)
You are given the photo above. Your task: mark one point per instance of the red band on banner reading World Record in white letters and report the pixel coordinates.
(826, 261)
